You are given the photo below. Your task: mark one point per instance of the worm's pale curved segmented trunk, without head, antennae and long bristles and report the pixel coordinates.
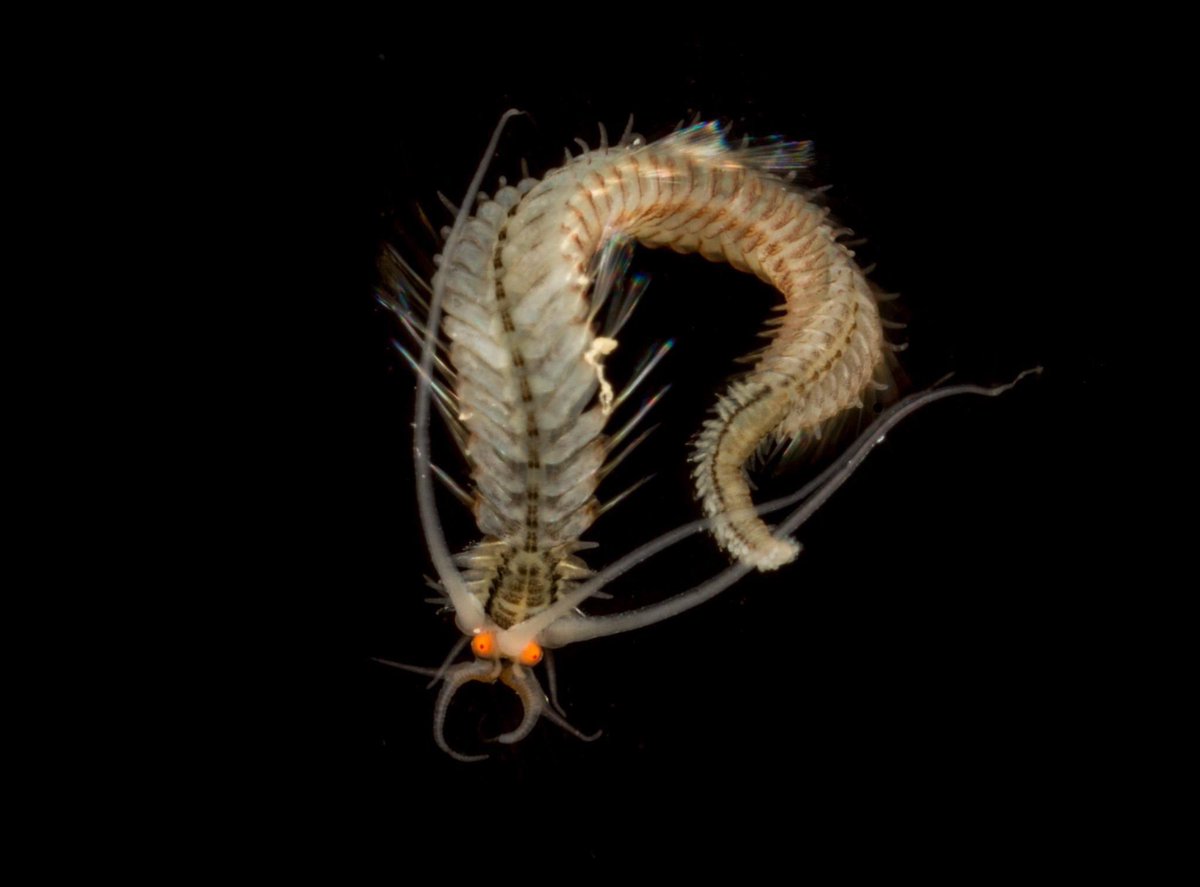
(519, 317)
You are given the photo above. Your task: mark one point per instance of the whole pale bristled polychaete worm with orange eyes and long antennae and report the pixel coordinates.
(531, 295)
